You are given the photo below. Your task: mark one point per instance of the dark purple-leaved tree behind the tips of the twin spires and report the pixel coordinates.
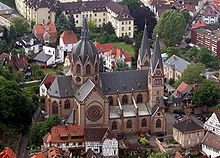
(144, 15)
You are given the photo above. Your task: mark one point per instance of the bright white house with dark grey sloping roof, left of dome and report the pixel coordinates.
(49, 56)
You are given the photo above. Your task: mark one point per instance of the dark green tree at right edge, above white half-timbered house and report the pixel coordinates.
(207, 94)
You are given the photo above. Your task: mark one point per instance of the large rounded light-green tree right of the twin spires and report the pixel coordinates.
(170, 27)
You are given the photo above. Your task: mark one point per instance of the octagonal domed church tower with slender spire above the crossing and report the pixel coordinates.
(85, 59)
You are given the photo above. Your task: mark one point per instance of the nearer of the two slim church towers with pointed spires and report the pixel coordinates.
(156, 76)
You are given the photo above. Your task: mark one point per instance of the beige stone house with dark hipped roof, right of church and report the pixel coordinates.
(188, 133)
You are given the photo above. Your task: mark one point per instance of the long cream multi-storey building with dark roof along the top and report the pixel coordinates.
(104, 11)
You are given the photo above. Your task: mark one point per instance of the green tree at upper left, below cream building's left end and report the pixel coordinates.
(21, 26)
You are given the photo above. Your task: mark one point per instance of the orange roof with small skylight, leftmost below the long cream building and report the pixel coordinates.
(40, 30)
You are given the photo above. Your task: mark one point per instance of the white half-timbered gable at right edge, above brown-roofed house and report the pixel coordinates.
(213, 123)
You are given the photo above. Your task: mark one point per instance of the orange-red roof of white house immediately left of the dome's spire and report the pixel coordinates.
(69, 37)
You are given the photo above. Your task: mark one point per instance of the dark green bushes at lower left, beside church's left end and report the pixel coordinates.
(37, 131)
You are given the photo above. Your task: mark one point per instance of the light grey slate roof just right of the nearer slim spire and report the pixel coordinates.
(177, 63)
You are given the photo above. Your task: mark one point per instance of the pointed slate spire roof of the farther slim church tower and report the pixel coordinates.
(145, 46)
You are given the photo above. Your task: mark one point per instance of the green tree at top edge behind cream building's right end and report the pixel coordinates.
(132, 4)
